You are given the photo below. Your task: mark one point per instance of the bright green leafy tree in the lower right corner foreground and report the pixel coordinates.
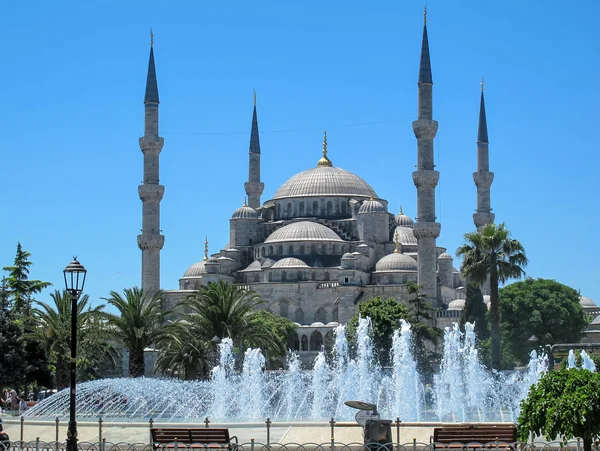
(564, 402)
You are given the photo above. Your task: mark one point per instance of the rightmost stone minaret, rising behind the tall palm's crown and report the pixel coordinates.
(483, 177)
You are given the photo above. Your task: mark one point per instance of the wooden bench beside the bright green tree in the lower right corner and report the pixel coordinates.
(475, 437)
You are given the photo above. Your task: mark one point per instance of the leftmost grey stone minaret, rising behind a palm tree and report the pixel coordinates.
(151, 192)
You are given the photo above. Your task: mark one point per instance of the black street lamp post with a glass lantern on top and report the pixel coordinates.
(74, 281)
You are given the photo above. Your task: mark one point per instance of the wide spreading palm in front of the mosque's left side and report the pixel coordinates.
(223, 310)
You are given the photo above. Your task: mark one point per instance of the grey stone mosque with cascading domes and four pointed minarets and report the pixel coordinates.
(326, 240)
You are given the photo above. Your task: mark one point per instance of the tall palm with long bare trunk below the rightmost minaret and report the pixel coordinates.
(490, 254)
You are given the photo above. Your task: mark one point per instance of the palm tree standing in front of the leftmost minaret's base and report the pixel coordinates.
(138, 325)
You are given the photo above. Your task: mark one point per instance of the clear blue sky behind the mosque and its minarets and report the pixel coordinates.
(72, 86)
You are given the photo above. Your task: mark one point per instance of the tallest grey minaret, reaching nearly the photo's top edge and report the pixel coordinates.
(426, 229)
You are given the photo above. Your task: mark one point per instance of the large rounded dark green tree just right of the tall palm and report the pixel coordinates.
(545, 308)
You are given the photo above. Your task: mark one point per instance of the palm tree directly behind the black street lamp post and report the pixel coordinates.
(54, 328)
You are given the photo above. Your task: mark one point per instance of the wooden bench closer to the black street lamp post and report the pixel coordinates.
(197, 438)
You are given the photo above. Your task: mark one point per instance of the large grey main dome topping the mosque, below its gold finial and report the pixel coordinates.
(324, 181)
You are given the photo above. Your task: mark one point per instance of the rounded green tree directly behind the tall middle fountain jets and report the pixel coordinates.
(385, 317)
